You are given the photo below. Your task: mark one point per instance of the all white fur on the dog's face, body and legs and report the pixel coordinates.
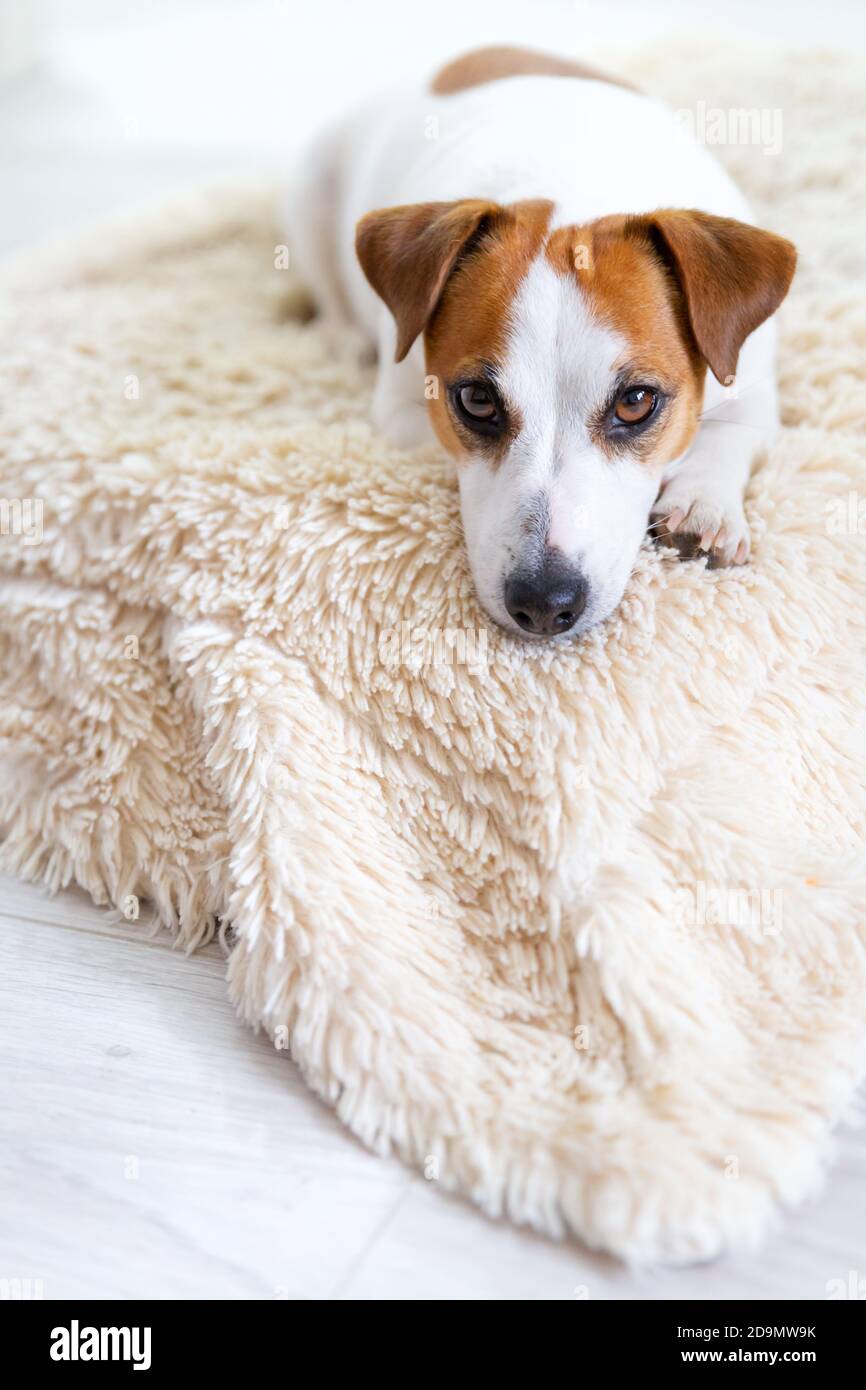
(580, 145)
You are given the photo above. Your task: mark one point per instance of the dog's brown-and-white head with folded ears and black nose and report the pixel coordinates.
(568, 372)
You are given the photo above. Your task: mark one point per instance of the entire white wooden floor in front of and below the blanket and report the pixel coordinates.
(154, 1147)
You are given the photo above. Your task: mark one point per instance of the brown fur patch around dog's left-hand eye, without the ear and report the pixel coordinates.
(471, 325)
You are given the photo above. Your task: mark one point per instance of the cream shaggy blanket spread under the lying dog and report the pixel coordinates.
(578, 929)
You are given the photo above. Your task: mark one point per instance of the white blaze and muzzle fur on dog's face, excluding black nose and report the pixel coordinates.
(559, 366)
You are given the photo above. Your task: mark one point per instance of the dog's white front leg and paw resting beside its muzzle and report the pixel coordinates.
(700, 505)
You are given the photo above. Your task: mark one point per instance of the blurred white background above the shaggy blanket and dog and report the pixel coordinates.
(108, 104)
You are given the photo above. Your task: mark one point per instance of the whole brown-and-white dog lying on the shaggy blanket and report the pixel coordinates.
(569, 294)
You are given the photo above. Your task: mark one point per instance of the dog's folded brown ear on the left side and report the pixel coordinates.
(409, 252)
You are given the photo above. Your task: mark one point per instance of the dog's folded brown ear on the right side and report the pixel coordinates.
(733, 277)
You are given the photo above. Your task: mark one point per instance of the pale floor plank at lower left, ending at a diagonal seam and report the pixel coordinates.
(154, 1146)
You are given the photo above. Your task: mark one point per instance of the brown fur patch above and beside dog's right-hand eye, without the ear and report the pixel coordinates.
(632, 291)
